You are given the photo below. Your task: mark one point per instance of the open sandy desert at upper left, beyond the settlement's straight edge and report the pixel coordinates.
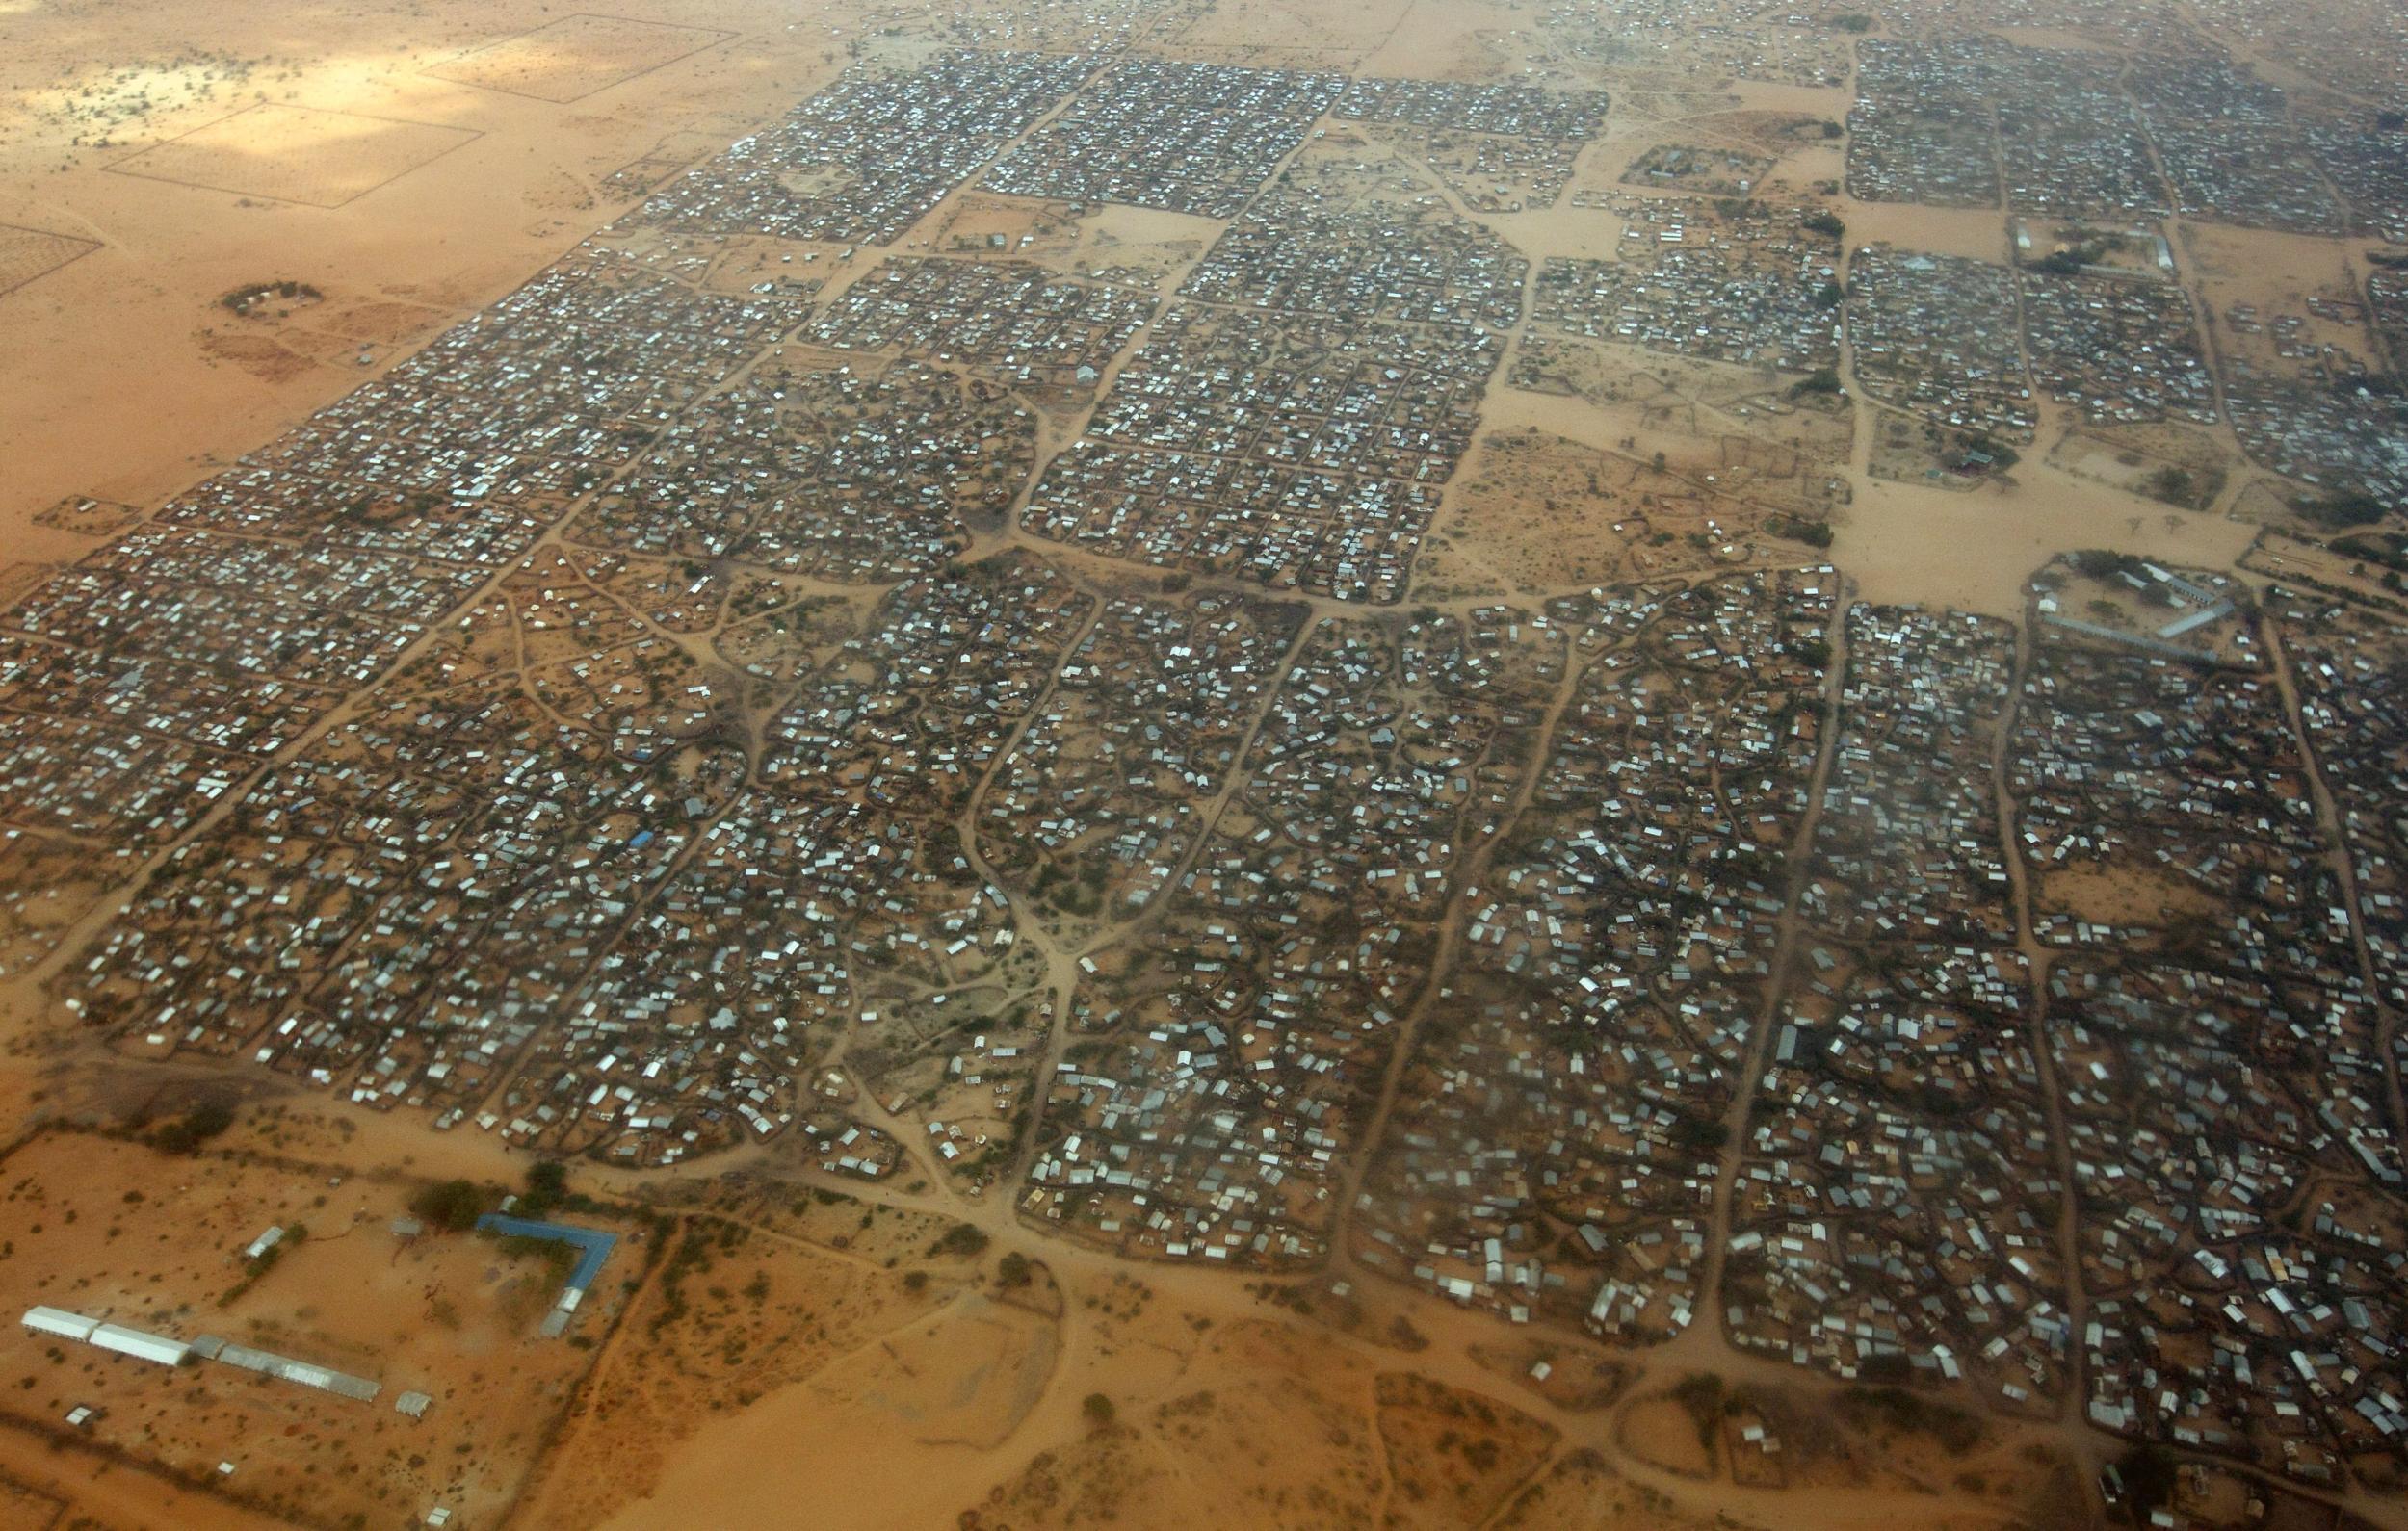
(336, 160)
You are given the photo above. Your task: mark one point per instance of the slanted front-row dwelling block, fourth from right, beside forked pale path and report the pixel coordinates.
(1241, 1031)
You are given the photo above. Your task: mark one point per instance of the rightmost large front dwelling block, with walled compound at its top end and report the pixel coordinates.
(2214, 1031)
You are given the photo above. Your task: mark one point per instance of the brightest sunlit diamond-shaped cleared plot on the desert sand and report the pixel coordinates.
(295, 155)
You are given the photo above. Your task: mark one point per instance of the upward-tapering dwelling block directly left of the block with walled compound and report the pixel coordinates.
(1899, 1205)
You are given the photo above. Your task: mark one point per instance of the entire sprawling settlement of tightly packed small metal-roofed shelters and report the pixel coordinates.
(608, 719)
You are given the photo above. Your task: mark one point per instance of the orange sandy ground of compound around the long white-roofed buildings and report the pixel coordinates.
(158, 1241)
